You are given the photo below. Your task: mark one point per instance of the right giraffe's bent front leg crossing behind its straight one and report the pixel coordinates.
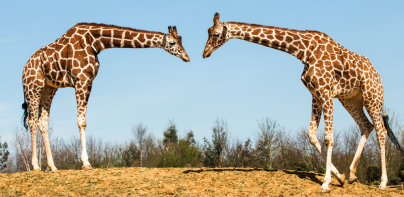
(315, 121)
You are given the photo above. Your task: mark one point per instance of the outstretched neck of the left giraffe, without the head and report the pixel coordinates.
(102, 37)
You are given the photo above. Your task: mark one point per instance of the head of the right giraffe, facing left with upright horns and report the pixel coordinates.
(218, 35)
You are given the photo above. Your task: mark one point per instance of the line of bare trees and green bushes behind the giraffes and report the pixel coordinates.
(272, 147)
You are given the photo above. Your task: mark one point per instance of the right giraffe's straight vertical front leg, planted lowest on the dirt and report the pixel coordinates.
(328, 104)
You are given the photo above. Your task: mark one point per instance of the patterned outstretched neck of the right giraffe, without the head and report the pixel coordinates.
(294, 42)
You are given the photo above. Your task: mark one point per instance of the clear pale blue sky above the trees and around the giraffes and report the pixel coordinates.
(241, 82)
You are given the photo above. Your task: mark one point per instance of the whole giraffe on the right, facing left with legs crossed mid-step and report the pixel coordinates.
(330, 71)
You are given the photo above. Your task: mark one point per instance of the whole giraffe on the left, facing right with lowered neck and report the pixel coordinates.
(71, 61)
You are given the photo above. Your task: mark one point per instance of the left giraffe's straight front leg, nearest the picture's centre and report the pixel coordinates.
(83, 90)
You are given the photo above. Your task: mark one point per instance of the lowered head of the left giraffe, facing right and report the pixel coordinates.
(172, 43)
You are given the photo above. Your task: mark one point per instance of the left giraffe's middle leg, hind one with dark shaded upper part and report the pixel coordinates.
(44, 110)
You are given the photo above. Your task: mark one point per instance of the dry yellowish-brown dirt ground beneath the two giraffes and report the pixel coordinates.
(178, 182)
